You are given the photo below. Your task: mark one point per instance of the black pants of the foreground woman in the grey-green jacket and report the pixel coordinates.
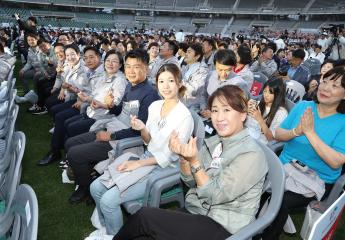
(163, 224)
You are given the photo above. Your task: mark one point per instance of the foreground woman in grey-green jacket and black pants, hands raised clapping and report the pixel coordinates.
(226, 179)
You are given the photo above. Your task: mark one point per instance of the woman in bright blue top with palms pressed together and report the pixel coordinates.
(314, 133)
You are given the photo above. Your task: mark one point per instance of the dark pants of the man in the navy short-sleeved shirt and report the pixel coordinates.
(82, 153)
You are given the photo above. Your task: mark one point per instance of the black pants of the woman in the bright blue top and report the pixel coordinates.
(290, 201)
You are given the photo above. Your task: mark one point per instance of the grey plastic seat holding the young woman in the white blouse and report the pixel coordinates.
(166, 186)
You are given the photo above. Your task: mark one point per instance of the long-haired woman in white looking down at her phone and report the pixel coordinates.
(266, 116)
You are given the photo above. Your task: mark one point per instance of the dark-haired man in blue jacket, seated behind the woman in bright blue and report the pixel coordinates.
(297, 71)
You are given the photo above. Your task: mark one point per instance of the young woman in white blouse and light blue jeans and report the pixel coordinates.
(164, 117)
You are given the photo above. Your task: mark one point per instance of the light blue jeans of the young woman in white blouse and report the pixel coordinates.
(108, 202)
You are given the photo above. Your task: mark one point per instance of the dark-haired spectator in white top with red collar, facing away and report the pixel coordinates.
(242, 68)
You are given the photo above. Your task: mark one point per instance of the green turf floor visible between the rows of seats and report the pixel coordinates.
(59, 220)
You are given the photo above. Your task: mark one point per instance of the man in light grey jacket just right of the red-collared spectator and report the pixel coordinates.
(265, 64)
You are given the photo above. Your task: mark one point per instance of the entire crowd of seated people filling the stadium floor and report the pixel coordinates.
(102, 88)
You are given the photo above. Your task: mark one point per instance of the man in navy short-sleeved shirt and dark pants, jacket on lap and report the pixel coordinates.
(84, 150)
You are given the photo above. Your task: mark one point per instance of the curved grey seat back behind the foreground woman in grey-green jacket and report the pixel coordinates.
(276, 180)
